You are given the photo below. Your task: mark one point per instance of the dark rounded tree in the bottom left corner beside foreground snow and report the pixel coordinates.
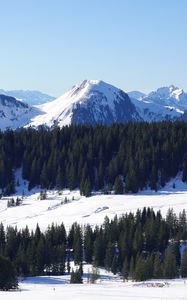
(8, 279)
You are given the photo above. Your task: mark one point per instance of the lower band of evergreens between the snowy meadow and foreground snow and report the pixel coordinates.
(138, 246)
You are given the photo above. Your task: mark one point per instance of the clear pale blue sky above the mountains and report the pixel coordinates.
(52, 44)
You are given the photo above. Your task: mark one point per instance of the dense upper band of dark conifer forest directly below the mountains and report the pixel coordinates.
(95, 158)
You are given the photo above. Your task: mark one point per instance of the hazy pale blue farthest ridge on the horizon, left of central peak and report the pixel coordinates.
(30, 97)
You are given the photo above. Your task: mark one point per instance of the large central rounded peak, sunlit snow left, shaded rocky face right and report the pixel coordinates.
(91, 102)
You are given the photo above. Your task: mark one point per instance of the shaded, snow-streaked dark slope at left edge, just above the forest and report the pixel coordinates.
(14, 113)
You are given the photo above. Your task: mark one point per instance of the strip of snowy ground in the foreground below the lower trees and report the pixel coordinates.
(108, 287)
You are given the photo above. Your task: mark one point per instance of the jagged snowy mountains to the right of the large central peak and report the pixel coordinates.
(166, 103)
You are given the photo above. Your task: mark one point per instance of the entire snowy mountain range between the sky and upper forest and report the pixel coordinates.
(91, 102)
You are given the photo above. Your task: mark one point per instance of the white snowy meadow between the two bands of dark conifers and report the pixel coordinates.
(90, 210)
